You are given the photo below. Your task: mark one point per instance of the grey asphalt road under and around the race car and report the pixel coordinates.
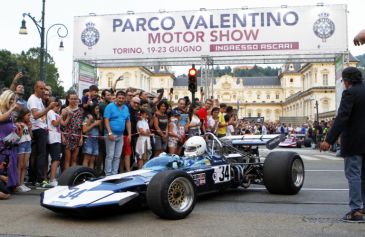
(315, 211)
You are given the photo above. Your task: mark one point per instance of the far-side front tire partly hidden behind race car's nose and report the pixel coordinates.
(76, 175)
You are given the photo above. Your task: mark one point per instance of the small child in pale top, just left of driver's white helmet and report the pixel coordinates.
(174, 132)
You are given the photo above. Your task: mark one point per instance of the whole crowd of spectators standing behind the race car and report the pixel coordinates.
(113, 132)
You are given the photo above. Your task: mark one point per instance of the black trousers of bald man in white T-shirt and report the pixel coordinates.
(40, 138)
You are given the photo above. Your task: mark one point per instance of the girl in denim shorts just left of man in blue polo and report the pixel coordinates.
(91, 127)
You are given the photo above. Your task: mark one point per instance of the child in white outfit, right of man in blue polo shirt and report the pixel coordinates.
(143, 146)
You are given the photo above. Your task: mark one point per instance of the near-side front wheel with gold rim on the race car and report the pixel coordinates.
(171, 194)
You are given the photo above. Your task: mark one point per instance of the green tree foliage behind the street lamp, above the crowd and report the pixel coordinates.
(28, 63)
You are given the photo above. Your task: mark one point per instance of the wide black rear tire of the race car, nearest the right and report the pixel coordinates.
(283, 172)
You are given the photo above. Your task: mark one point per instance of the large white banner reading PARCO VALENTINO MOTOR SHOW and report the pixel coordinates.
(215, 33)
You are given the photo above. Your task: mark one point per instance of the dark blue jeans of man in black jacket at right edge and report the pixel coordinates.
(355, 175)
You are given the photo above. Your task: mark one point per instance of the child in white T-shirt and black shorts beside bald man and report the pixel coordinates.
(54, 123)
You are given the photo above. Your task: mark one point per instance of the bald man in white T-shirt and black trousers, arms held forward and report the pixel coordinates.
(39, 129)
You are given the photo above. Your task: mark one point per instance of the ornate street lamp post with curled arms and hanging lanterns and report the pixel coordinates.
(41, 30)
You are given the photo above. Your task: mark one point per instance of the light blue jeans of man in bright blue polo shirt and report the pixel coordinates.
(113, 153)
